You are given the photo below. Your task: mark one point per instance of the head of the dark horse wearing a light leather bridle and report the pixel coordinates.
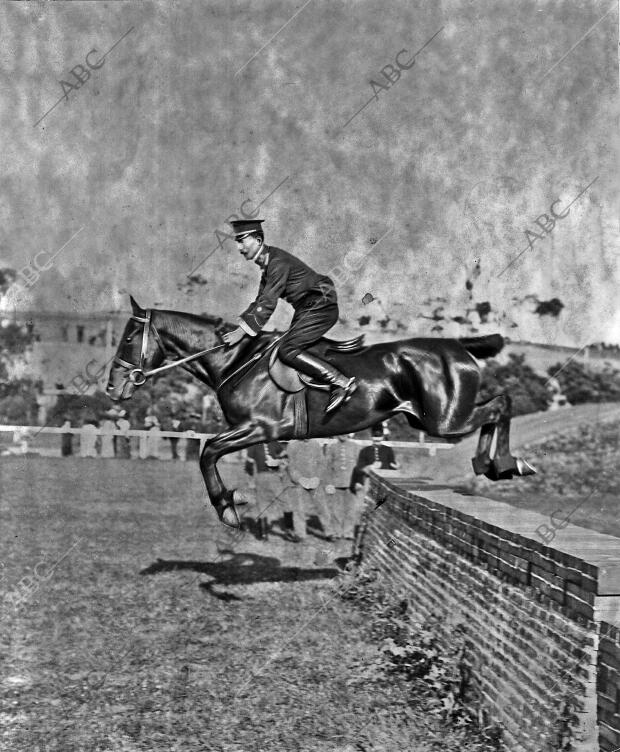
(138, 351)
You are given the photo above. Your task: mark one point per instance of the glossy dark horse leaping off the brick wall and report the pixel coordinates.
(434, 382)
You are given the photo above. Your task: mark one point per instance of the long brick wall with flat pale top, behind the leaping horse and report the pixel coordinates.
(539, 605)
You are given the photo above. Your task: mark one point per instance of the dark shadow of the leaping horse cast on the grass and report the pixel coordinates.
(241, 569)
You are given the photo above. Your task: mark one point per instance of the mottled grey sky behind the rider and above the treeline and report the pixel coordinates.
(421, 180)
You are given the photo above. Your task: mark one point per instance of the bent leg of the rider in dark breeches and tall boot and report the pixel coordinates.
(309, 324)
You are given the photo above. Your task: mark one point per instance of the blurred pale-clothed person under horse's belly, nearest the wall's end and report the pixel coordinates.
(346, 503)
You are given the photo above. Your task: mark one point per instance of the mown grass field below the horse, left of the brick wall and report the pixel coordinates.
(120, 644)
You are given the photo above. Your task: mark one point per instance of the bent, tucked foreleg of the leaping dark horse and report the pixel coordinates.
(238, 438)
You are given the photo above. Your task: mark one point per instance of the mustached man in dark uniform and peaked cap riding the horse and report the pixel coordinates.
(312, 295)
